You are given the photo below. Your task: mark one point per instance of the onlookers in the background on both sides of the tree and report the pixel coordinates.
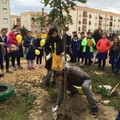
(83, 49)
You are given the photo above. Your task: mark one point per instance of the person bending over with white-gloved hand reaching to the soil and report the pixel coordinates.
(76, 77)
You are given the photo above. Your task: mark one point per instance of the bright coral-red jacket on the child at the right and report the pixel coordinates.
(103, 45)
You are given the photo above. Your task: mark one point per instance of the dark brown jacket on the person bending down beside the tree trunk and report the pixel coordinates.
(75, 76)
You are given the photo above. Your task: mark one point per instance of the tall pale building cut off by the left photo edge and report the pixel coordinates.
(5, 21)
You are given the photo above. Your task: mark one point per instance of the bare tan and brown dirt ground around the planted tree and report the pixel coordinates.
(77, 107)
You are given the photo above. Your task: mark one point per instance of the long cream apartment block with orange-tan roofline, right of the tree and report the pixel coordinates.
(88, 19)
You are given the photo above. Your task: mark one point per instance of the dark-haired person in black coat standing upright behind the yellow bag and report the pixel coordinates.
(53, 45)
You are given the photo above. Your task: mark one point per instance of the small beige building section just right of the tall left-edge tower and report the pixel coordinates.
(15, 20)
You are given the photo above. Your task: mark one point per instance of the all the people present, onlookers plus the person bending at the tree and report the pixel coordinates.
(83, 49)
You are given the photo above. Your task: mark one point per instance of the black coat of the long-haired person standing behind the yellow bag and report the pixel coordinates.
(49, 48)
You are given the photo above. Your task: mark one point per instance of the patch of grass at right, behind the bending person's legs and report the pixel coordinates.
(105, 78)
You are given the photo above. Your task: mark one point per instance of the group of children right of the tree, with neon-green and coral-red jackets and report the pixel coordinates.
(95, 48)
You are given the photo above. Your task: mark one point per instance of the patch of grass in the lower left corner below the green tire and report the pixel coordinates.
(16, 107)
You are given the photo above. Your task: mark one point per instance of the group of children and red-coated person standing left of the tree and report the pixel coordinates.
(11, 51)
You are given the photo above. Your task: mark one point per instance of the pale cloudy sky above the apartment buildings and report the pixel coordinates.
(19, 6)
